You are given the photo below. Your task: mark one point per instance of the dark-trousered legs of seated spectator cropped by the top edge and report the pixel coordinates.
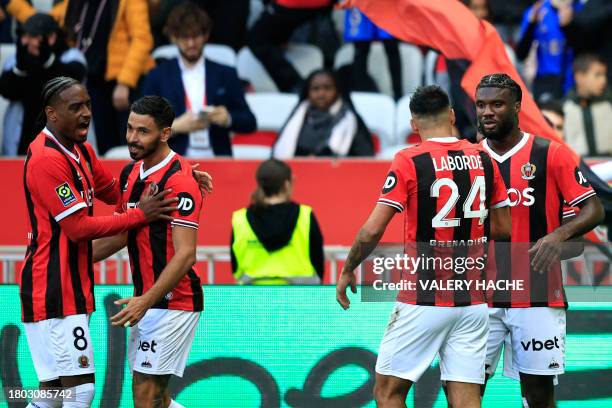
(273, 29)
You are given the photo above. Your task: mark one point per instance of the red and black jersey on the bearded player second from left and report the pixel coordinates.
(150, 247)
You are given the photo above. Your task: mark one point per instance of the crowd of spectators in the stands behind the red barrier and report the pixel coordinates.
(562, 47)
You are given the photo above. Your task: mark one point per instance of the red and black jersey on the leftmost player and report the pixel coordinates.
(57, 275)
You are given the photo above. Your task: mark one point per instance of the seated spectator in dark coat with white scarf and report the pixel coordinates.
(323, 123)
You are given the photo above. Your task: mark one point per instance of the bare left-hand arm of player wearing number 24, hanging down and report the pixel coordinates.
(365, 242)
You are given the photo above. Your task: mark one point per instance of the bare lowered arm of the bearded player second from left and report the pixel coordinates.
(185, 241)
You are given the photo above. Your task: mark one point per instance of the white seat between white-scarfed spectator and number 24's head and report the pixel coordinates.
(378, 113)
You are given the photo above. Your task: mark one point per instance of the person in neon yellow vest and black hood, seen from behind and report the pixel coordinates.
(276, 241)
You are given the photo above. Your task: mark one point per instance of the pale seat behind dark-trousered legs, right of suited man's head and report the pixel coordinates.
(305, 58)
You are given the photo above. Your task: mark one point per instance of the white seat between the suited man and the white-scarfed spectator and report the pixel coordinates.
(271, 111)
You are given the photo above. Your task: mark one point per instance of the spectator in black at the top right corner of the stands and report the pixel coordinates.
(590, 29)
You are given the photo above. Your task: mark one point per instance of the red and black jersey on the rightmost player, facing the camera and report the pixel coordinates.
(543, 182)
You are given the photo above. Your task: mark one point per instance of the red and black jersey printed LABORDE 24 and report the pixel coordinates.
(446, 187)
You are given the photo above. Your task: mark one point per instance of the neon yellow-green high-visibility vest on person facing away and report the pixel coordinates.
(288, 265)
